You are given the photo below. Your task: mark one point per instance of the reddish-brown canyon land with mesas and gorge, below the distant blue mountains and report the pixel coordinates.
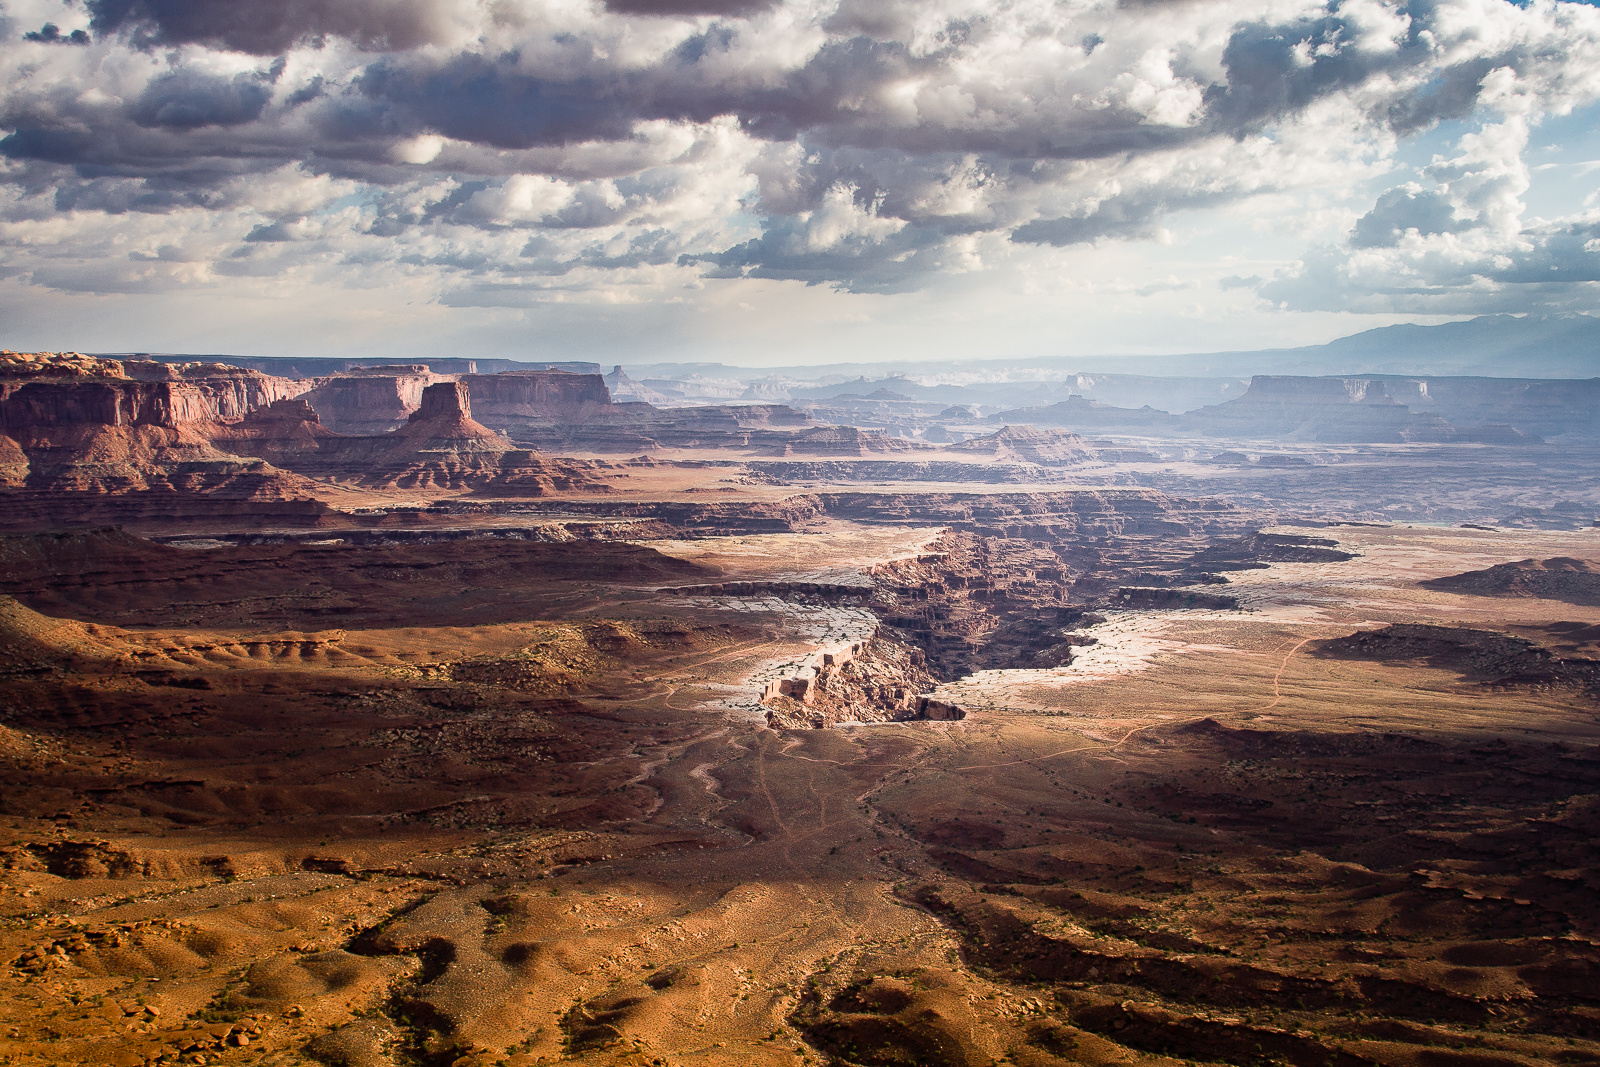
(414, 716)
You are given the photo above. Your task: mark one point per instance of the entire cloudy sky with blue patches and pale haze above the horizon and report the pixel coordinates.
(788, 182)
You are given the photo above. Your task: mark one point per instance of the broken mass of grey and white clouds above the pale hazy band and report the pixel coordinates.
(863, 145)
